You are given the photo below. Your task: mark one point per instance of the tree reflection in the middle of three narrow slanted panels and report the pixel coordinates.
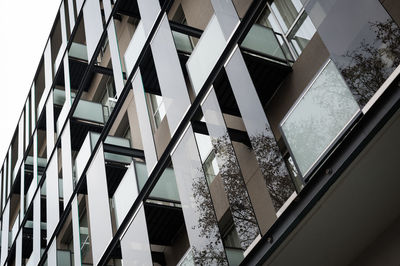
(235, 188)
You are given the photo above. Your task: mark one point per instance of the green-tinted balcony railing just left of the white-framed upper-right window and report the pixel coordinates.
(263, 40)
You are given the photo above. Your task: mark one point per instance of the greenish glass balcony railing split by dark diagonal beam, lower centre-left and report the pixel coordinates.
(165, 189)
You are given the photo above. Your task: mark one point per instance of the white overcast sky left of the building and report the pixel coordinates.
(24, 28)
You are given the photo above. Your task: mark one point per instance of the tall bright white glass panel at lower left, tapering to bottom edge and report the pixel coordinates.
(99, 208)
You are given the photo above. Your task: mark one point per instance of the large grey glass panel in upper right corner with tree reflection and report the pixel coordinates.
(364, 52)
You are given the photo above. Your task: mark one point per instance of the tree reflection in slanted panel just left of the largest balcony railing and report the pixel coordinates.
(273, 167)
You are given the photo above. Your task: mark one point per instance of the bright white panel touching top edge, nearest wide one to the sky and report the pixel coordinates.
(93, 25)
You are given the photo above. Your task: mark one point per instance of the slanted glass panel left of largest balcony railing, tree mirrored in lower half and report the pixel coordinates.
(270, 161)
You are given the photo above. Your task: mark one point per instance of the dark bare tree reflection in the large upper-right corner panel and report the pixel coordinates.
(372, 63)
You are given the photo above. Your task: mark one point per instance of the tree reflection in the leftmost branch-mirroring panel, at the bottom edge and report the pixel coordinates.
(212, 253)
